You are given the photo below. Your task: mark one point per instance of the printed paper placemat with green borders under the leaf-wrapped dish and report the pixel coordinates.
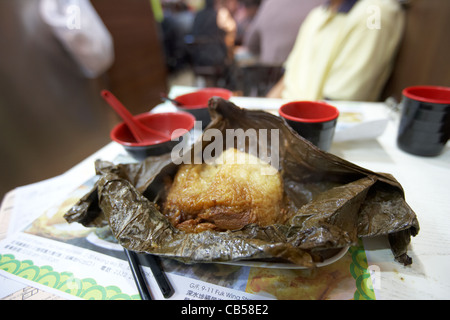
(74, 262)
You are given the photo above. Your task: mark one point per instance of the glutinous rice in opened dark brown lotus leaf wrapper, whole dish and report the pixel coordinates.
(238, 206)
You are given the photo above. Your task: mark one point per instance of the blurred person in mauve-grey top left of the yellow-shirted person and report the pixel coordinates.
(271, 34)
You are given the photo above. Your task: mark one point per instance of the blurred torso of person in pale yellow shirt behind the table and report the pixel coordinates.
(344, 51)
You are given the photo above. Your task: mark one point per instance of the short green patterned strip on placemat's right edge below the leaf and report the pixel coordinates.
(359, 271)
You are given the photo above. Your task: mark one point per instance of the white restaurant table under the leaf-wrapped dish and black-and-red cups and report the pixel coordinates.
(426, 182)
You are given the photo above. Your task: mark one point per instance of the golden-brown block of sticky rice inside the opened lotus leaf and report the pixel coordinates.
(226, 195)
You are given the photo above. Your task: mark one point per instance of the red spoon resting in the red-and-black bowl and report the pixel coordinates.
(140, 132)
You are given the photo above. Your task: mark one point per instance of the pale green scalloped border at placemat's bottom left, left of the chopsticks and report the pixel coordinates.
(64, 281)
